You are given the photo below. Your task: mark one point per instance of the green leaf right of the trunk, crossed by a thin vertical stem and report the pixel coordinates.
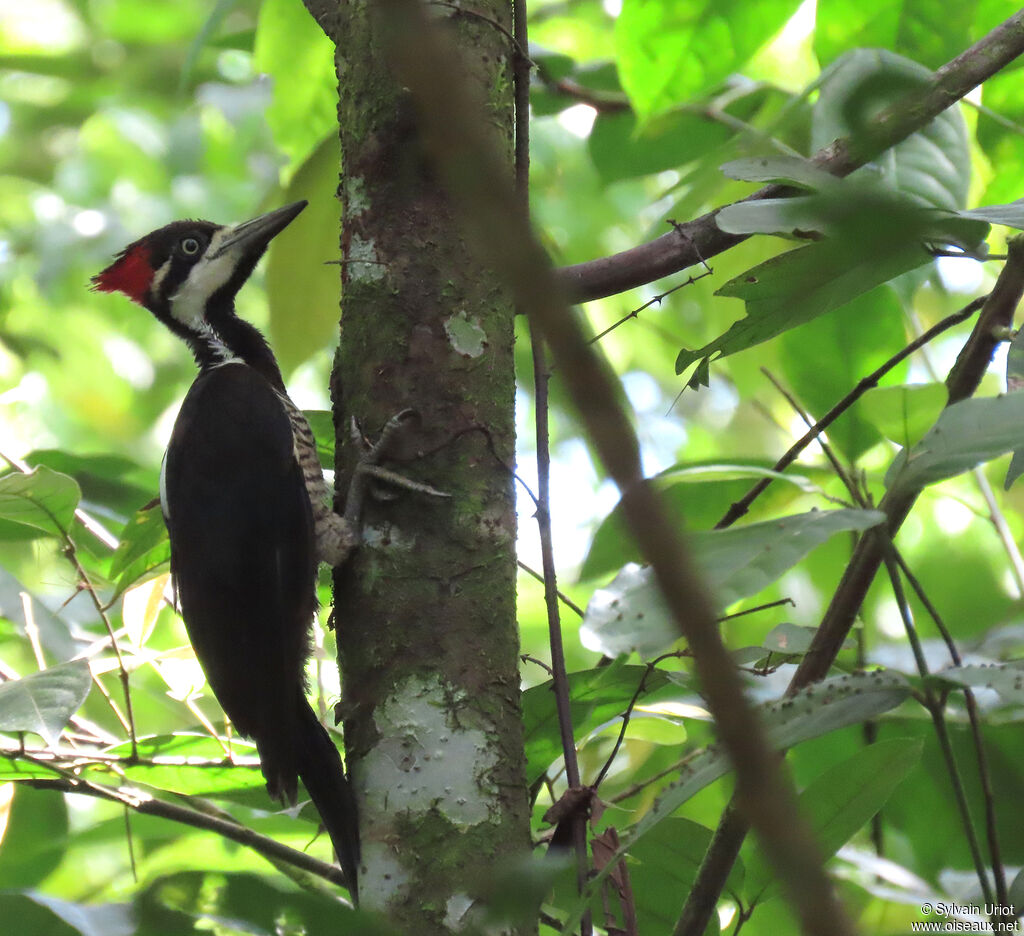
(596, 697)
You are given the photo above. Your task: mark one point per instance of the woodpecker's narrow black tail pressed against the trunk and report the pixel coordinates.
(324, 777)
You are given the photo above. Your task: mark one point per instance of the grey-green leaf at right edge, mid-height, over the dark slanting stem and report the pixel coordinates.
(966, 435)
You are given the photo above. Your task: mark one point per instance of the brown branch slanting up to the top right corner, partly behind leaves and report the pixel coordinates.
(671, 253)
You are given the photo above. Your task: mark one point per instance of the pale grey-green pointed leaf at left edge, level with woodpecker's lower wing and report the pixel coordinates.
(45, 702)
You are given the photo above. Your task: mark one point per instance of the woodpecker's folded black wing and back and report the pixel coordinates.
(243, 556)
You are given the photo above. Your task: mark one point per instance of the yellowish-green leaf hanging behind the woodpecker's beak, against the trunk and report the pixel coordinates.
(306, 321)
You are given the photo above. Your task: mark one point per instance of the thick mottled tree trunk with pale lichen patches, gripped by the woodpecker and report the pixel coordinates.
(426, 611)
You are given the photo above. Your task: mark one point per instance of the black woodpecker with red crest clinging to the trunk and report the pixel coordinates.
(246, 507)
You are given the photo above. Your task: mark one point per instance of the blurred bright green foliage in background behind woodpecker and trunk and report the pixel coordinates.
(118, 116)
